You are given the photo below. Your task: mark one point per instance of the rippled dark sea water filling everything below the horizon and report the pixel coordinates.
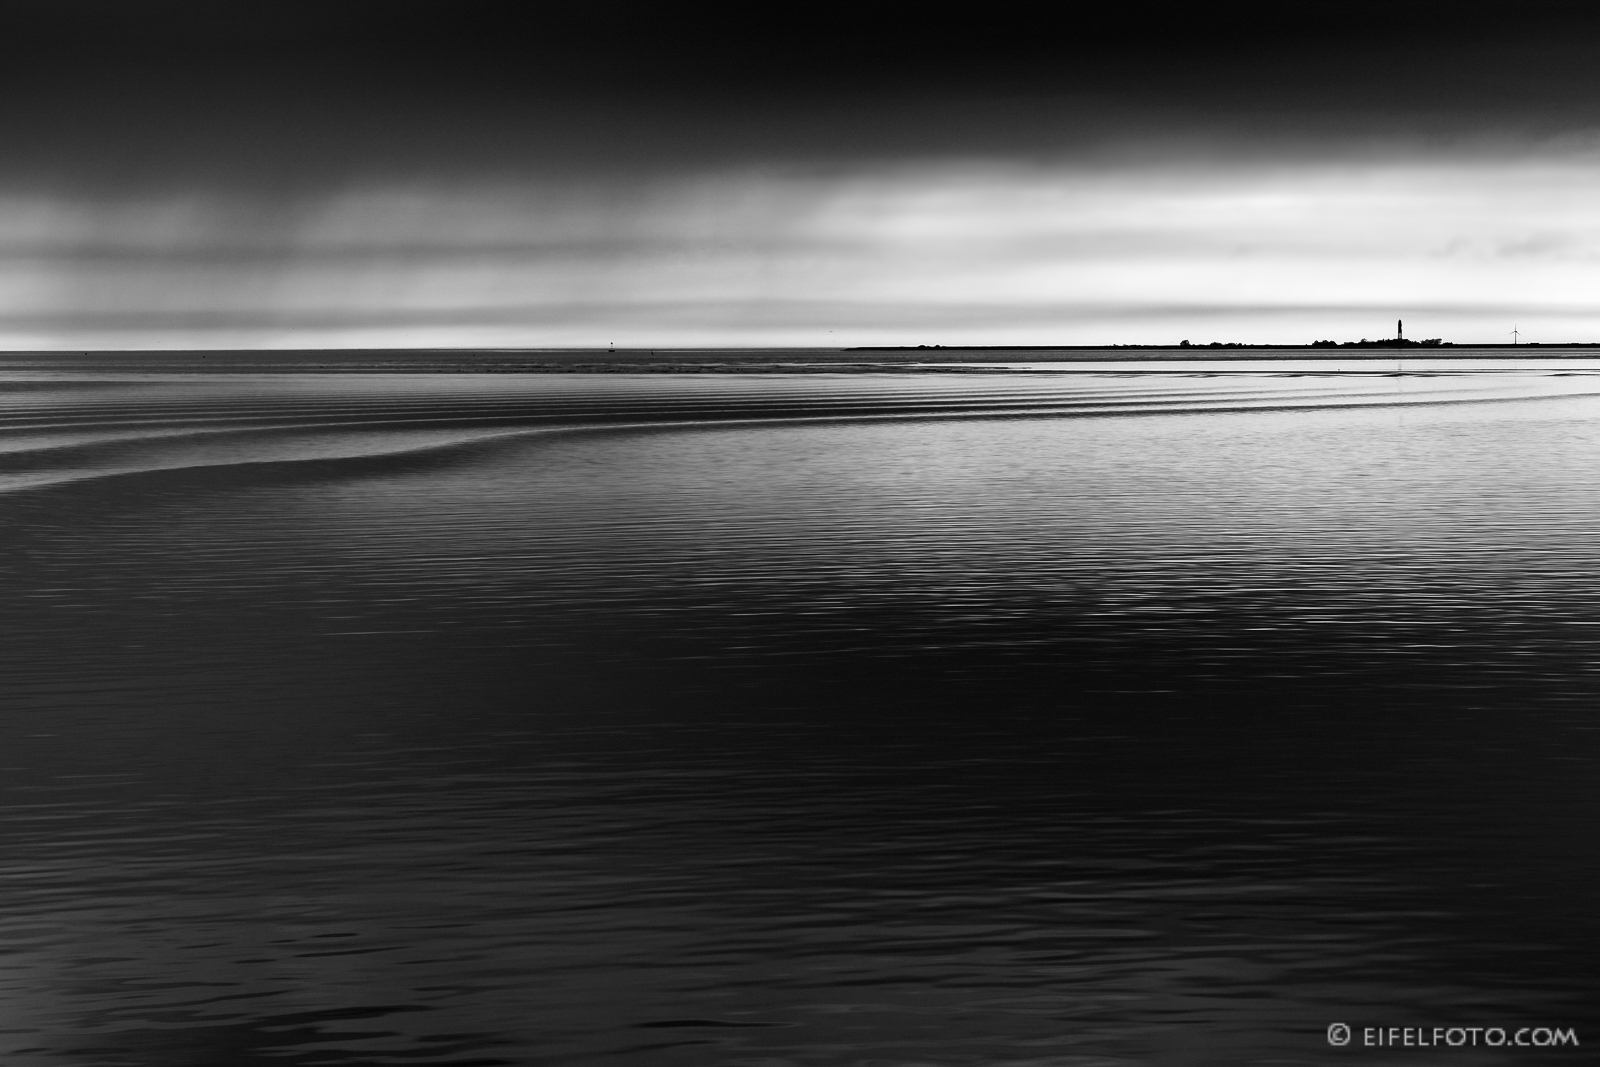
(994, 719)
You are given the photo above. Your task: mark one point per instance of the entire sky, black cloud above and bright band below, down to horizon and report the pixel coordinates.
(481, 175)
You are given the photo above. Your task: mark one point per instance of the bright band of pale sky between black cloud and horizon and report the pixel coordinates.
(935, 254)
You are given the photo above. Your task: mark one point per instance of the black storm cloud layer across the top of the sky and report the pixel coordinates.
(110, 95)
